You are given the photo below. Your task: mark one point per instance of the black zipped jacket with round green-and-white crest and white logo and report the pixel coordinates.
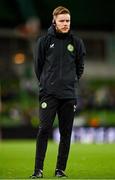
(59, 63)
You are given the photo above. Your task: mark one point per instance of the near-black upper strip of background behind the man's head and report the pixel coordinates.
(86, 14)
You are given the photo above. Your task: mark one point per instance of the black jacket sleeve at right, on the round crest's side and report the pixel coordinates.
(81, 52)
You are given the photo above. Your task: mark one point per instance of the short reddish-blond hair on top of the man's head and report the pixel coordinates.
(60, 10)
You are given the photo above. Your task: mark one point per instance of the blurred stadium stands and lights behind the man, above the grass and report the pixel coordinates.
(21, 22)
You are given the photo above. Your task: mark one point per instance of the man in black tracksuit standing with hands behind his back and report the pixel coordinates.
(58, 65)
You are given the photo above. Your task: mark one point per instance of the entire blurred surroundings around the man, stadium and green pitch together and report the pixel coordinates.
(21, 22)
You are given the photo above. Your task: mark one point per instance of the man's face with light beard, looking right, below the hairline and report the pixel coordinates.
(62, 23)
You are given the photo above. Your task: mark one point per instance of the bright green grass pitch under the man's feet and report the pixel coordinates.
(86, 161)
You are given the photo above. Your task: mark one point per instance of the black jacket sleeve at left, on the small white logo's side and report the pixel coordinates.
(39, 57)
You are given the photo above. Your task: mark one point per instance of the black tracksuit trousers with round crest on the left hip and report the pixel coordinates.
(64, 108)
